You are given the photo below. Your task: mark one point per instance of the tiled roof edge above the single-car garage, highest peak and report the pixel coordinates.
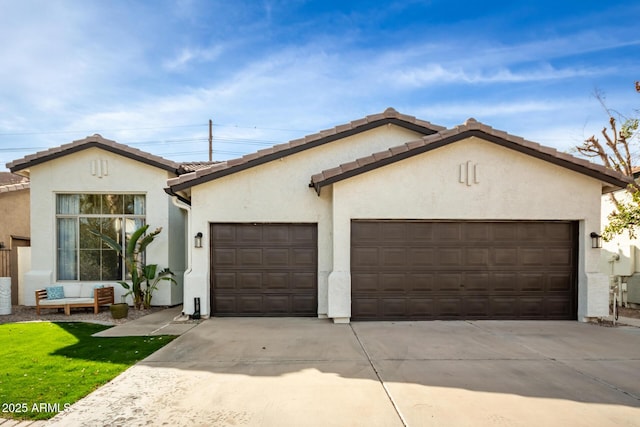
(218, 170)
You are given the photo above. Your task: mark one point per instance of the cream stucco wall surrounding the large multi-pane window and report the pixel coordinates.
(73, 174)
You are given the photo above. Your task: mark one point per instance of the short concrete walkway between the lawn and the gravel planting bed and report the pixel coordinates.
(159, 323)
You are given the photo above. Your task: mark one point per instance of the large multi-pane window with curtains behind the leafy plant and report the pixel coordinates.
(82, 255)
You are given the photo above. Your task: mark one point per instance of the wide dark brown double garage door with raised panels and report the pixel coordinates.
(463, 270)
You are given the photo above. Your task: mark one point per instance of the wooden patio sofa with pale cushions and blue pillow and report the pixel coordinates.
(74, 295)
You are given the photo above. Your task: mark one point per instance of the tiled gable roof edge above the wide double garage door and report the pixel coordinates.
(470, 128)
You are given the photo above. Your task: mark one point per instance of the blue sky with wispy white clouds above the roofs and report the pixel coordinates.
(151, 74)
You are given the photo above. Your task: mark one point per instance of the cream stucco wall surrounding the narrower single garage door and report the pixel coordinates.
(278, 192)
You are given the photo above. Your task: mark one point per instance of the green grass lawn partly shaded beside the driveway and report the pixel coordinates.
(45, 366)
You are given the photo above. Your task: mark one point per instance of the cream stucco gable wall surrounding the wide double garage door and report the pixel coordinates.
(511, 186)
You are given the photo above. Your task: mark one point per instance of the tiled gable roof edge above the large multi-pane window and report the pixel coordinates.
(93, 141)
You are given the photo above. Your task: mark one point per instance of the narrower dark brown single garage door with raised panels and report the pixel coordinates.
(264, 269)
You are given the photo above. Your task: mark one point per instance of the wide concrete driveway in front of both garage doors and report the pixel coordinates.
(310, 372)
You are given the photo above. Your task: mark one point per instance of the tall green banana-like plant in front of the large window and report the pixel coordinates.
(144, 278)
